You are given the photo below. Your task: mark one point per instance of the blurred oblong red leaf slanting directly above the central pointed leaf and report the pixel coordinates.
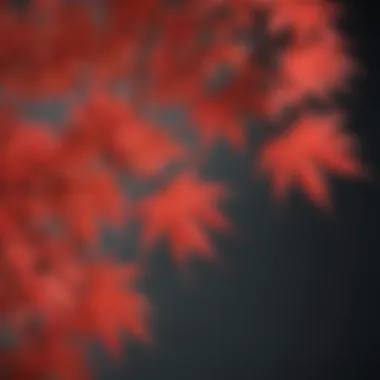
(116, 132)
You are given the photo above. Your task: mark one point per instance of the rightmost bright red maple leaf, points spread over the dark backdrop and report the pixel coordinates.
(314, 145)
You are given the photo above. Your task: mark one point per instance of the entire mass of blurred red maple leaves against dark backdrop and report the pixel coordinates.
(226, 63)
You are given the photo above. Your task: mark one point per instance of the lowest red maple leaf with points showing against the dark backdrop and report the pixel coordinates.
(111, 307)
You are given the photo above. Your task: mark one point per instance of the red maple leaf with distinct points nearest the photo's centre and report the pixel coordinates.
(180, 212)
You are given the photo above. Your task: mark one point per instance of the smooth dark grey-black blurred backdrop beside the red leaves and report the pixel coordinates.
(300, 300)
